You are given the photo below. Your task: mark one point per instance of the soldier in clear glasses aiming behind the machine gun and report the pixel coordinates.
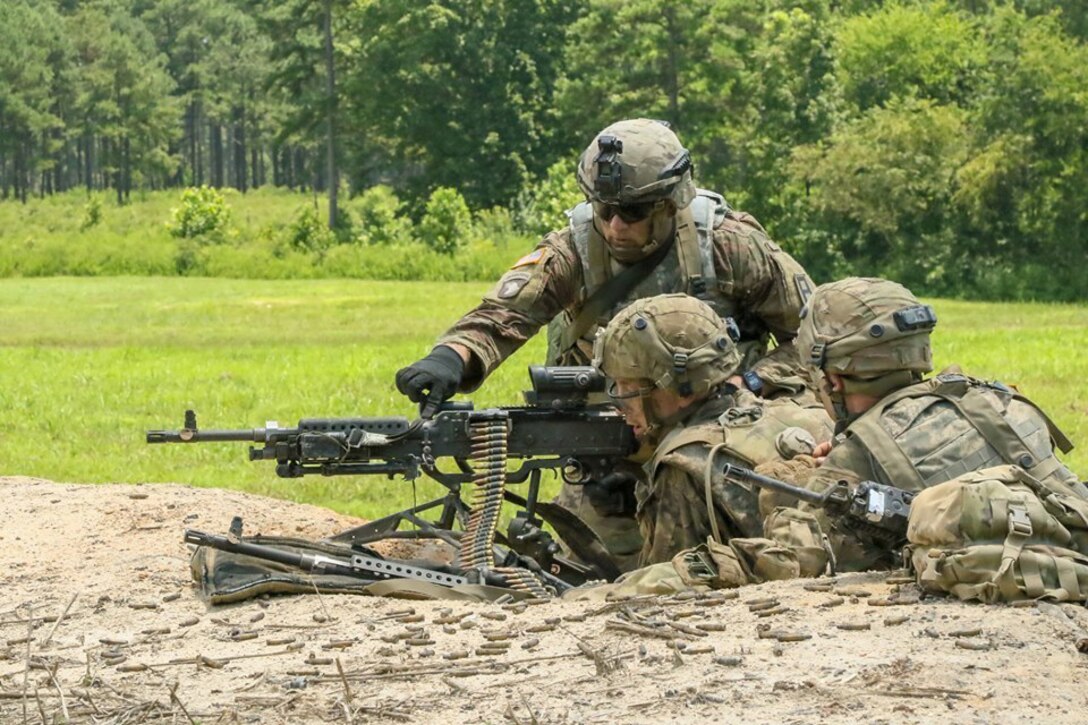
(670, 360)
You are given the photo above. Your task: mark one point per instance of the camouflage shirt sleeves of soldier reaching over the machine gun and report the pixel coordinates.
(755, 281)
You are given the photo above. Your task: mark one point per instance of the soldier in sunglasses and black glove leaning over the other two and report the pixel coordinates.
(645, 230)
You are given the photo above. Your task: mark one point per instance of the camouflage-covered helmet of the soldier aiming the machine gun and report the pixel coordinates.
(677, 342)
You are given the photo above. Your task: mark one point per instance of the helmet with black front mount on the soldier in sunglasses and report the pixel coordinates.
(635, 163)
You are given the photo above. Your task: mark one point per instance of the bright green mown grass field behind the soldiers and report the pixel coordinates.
(88, 365)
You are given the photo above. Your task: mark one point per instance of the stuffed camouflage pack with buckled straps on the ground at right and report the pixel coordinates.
(1000, 535)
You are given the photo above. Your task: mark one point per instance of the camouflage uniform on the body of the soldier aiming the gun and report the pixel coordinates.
(673, 508)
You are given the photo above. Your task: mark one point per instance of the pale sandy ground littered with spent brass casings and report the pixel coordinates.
(98, 623)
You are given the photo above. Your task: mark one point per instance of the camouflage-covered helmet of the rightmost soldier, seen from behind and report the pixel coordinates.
(873, 333)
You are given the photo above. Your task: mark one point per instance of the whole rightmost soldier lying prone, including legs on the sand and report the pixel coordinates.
(868, 345)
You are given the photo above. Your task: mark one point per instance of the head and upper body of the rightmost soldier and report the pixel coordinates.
(867, 342)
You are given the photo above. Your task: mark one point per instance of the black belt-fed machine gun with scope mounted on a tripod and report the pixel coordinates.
(557, 431)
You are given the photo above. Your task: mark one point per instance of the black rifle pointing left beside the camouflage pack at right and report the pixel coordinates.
(874, 510)
